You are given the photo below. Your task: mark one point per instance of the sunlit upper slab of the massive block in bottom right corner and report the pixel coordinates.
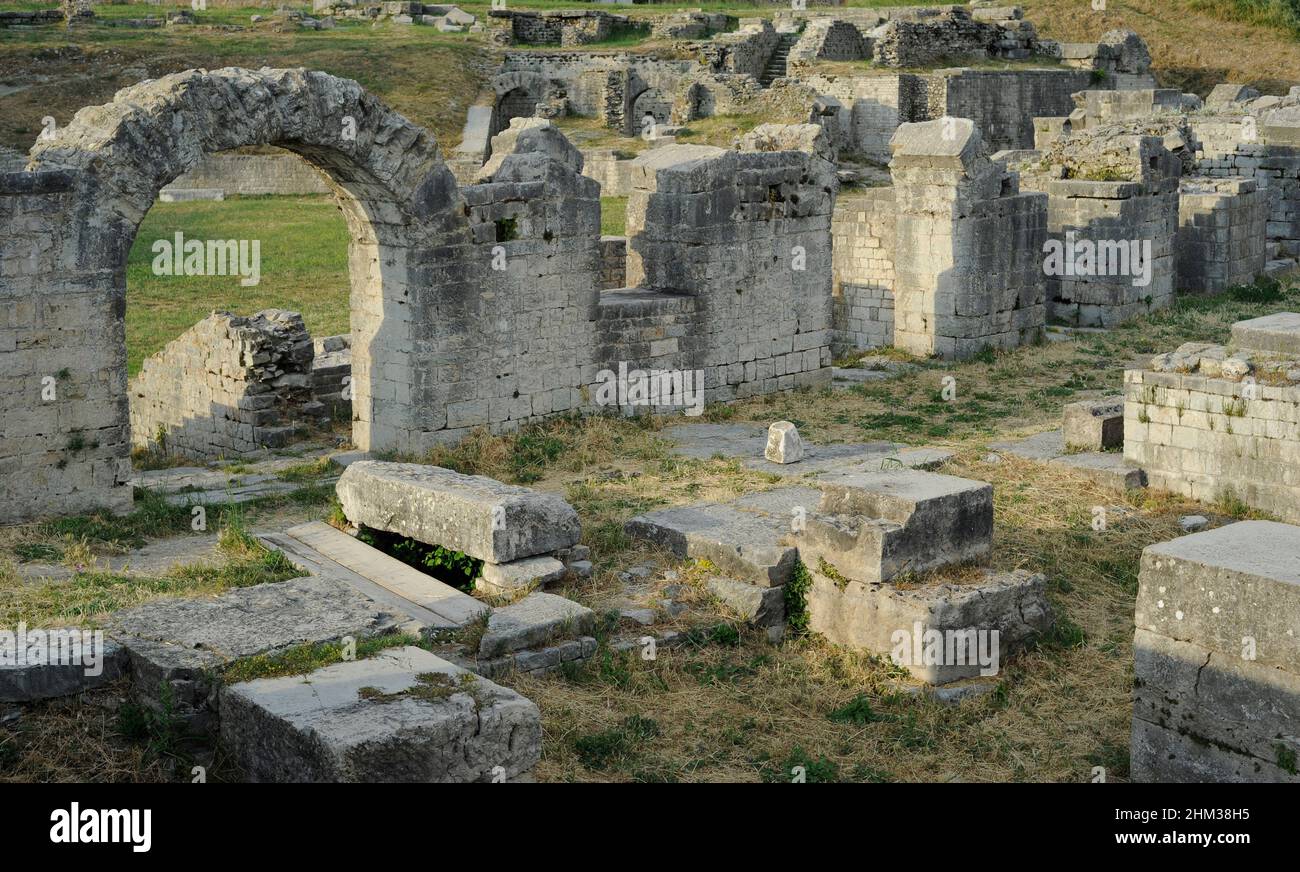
(1220, 587)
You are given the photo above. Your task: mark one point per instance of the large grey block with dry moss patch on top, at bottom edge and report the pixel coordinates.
(404, 715)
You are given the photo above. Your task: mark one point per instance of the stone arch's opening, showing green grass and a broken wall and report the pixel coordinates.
(237, 314)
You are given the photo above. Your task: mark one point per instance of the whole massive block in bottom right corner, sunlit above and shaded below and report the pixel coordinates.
(1217, 688)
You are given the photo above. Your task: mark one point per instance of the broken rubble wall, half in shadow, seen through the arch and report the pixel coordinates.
(227, 388)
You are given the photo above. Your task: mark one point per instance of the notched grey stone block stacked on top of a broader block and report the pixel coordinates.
(873, 526)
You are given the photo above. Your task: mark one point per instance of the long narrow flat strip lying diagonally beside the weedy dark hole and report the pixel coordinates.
(389, 572)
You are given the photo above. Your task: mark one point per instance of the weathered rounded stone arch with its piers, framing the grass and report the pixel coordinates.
(387, 173)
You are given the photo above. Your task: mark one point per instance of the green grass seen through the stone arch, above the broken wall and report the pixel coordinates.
(304, 268)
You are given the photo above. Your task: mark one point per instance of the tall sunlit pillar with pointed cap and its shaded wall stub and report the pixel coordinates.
(968, 248)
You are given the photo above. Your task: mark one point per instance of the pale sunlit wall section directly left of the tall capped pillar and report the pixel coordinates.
(864, 249)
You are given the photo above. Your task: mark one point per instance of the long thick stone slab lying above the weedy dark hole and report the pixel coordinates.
(476, 515)
